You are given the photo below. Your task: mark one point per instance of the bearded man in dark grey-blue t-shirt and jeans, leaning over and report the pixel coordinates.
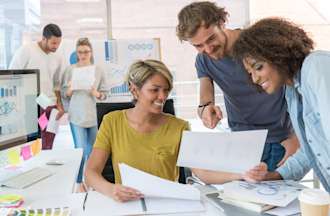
(202, 24)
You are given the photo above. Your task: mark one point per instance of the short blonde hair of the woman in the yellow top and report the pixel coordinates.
(140, 71)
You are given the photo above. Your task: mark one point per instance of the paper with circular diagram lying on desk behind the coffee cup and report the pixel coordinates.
(276, 193)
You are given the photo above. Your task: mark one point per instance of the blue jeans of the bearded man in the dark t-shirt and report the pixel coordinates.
(273, 153)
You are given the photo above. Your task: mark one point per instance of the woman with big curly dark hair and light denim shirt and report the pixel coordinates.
(277, 54)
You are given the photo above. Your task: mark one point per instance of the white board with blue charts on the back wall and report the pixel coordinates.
(115, 57)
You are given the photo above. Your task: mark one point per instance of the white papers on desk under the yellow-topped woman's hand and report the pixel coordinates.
(160, 196)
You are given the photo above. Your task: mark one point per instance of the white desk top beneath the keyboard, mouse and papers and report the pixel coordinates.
(57, 190)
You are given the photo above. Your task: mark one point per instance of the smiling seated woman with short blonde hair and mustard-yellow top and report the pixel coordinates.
(142, 137)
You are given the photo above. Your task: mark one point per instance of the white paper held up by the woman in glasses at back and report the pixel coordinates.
(83, 77)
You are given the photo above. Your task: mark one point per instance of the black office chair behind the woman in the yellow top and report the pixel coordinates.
(104, 108)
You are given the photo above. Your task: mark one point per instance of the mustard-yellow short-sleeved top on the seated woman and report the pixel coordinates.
(155, 152)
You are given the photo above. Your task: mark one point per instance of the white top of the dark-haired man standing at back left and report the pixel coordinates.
(31, 56)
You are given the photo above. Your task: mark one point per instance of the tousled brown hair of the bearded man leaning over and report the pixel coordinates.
(198, 14)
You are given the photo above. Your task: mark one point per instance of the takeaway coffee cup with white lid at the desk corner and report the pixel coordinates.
(314, 202)
